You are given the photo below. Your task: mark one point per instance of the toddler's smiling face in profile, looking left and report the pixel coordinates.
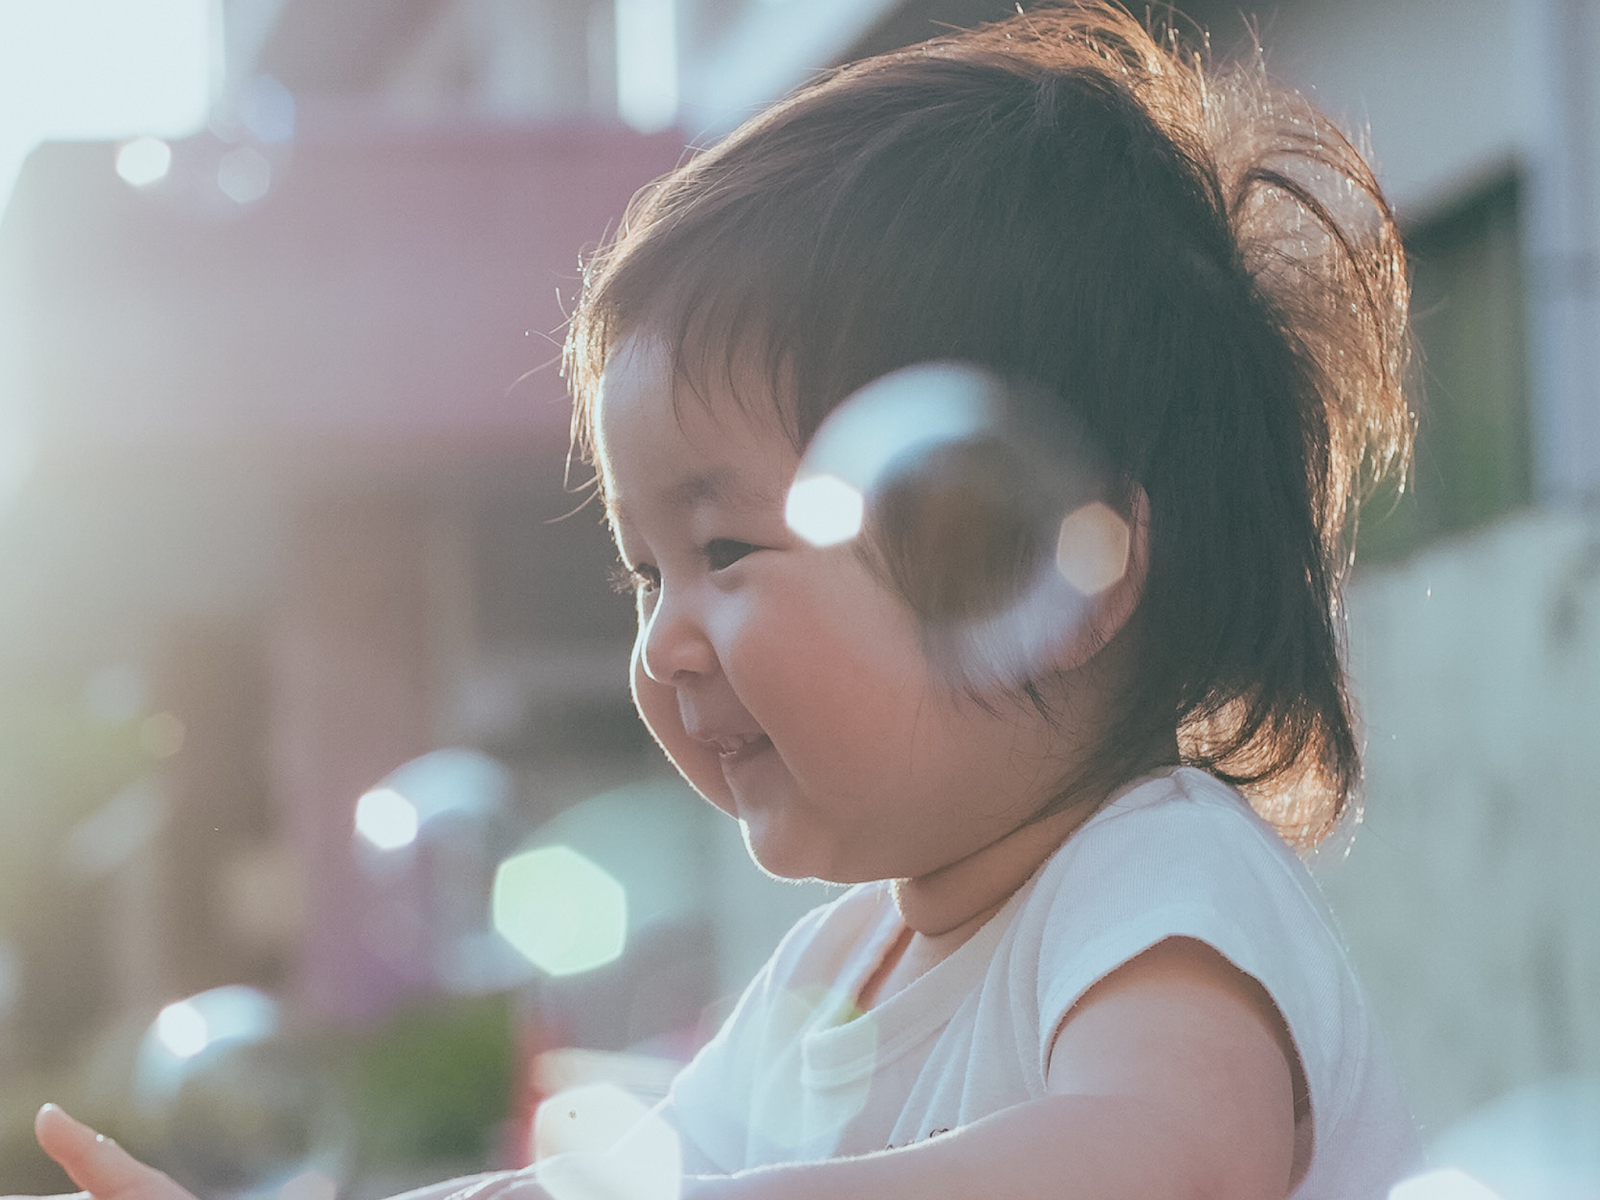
(783, 681)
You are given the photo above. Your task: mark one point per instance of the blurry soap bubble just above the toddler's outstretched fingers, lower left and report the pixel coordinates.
(230, 1103)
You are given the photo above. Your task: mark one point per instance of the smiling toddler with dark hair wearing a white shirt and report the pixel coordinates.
(1082, 958)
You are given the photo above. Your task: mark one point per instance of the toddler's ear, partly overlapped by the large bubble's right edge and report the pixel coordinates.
(1089, 554)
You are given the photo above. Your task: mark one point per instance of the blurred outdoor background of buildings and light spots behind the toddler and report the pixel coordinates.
(313, 698)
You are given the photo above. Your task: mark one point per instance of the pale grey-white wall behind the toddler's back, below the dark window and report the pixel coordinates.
(1473, 892)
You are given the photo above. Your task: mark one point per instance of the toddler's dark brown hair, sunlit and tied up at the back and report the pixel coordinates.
(1201, 266)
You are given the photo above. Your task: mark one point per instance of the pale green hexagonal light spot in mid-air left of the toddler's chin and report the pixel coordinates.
(561, 911)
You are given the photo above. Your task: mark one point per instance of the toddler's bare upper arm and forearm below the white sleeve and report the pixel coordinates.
(1170, 1079)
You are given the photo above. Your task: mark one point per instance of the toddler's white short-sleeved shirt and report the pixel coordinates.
(799, 1073)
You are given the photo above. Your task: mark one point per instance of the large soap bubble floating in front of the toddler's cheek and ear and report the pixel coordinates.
(982, 503)
